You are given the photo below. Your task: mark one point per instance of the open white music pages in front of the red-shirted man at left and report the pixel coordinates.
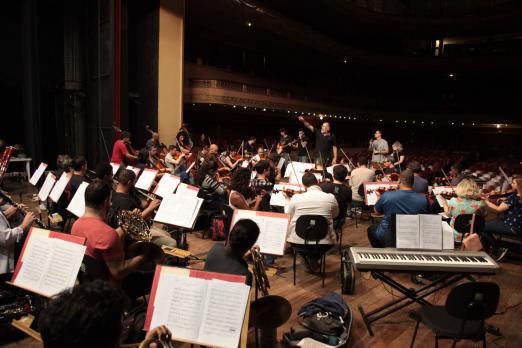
(49, 265)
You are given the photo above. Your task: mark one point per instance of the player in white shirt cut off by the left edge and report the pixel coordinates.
(9, 236)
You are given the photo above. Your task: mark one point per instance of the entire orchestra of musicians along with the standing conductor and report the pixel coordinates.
(243, 177)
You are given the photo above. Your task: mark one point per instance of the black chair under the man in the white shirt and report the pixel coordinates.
(312, 229)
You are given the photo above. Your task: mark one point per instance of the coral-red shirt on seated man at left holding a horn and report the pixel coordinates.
(102, 241)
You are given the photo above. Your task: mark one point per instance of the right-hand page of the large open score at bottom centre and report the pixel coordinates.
(223, 314)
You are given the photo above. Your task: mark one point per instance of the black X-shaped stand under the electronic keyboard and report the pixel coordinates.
(410, 295)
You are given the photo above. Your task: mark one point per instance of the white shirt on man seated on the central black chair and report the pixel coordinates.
(313, 202)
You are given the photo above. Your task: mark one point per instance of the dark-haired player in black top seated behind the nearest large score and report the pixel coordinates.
(229, 259)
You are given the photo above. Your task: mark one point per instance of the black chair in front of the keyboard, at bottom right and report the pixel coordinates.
(462, 317)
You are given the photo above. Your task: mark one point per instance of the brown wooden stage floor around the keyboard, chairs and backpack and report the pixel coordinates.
(393, 331)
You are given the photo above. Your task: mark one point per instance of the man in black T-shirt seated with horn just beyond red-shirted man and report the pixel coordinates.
(124, 198)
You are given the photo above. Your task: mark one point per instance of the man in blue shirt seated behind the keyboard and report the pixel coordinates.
(402, 201)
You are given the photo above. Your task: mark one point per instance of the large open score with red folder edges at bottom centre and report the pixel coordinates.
(198, 307)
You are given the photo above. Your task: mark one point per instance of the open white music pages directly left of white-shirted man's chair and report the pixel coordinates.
(272, 230)
